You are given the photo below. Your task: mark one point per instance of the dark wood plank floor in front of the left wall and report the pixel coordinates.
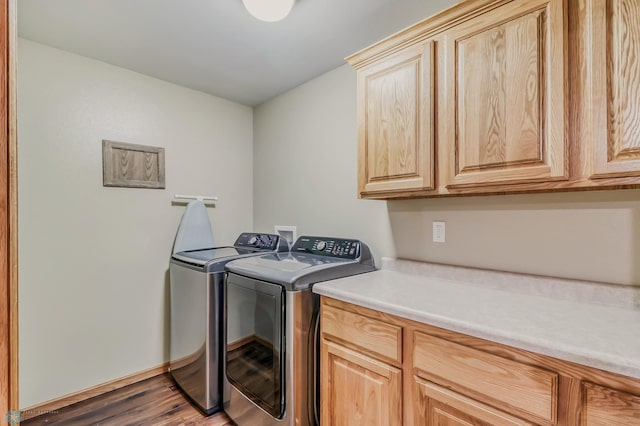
(155, 401)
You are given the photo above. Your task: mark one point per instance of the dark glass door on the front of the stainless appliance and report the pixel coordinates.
(255, 341)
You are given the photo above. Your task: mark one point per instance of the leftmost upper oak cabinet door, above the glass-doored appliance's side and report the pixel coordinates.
(395, 123)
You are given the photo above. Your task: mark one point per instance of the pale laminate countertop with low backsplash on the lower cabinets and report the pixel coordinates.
(594, 324)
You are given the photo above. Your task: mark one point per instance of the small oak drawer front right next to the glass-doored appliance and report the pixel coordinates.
(377, 337)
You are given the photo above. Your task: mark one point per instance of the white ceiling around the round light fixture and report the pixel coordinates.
(215, 46)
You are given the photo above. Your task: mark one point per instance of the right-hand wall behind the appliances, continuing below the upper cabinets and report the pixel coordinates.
(305, 174)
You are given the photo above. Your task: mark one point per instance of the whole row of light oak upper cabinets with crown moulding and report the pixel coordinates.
(495, 96)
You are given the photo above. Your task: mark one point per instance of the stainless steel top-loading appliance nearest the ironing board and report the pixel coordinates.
(196, 287)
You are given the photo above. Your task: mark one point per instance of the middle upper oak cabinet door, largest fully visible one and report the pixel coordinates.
(504, 86)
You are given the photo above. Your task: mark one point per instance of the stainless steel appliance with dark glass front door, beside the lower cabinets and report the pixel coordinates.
(271, 339)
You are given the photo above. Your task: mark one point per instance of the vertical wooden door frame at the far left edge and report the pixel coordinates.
(8, 212)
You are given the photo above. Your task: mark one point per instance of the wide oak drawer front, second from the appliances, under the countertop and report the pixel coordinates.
(529, 389)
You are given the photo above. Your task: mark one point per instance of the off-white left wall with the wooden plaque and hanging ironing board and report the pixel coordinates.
(93, 260)
